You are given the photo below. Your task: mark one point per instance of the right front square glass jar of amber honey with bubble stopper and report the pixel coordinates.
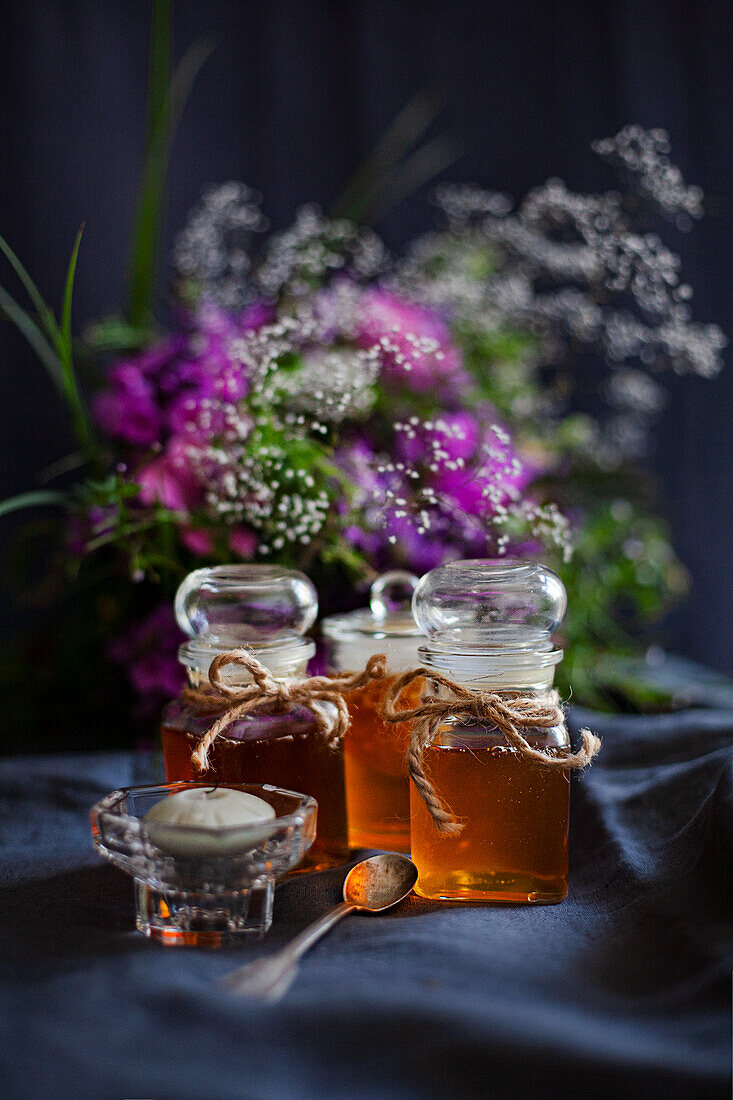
(489, 625)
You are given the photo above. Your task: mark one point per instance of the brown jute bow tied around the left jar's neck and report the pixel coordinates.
(314, 694)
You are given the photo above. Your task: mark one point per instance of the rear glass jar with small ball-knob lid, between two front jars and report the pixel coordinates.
(378, 789)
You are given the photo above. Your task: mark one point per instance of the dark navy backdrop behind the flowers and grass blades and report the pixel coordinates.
(296, 94)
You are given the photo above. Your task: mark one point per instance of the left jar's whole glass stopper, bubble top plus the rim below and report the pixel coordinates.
(266, 609)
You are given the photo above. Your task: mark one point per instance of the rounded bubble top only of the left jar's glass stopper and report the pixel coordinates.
(244, 604)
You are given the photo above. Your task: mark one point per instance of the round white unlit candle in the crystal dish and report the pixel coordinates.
(200, 822)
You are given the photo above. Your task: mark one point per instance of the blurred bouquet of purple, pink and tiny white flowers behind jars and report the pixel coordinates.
(323, 404)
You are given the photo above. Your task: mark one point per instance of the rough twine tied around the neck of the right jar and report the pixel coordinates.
(509, 712)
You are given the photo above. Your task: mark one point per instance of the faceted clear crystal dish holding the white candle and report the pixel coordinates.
(203, 887)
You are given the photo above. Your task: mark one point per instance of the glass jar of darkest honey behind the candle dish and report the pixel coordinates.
(267, 610)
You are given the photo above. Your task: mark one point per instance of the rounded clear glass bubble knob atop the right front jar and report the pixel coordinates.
(502, 606)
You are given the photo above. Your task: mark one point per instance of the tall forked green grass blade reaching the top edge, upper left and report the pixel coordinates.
(166, 102)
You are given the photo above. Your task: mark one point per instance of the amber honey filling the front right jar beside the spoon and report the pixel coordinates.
(515, 844)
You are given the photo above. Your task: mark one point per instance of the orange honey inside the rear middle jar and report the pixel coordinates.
(378, 789)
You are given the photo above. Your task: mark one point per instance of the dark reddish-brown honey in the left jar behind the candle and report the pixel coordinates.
(302, 764)
